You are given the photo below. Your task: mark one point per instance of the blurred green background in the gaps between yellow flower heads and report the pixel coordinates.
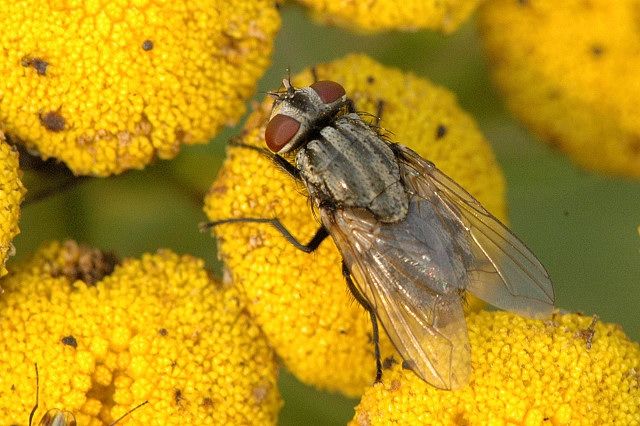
(582, 226)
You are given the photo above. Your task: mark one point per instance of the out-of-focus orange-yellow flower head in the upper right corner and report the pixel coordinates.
(571, 71)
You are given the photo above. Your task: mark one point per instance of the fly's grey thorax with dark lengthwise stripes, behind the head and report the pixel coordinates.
(350, 165)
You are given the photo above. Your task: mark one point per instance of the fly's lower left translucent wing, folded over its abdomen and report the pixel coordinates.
(410, 273)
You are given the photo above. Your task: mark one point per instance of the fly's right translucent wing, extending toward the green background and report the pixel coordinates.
(503, 271)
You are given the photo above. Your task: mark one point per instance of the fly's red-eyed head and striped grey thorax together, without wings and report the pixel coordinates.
(342, 160)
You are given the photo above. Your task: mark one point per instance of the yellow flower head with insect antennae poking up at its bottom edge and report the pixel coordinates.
(105, 340)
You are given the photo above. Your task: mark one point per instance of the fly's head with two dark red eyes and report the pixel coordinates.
(297, 113)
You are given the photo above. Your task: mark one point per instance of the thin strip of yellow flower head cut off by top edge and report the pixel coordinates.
(383, 15)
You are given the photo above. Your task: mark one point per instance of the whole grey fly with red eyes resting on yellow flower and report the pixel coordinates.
(411, 239)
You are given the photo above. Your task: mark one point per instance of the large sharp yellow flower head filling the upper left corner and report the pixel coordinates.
(107, 86)
